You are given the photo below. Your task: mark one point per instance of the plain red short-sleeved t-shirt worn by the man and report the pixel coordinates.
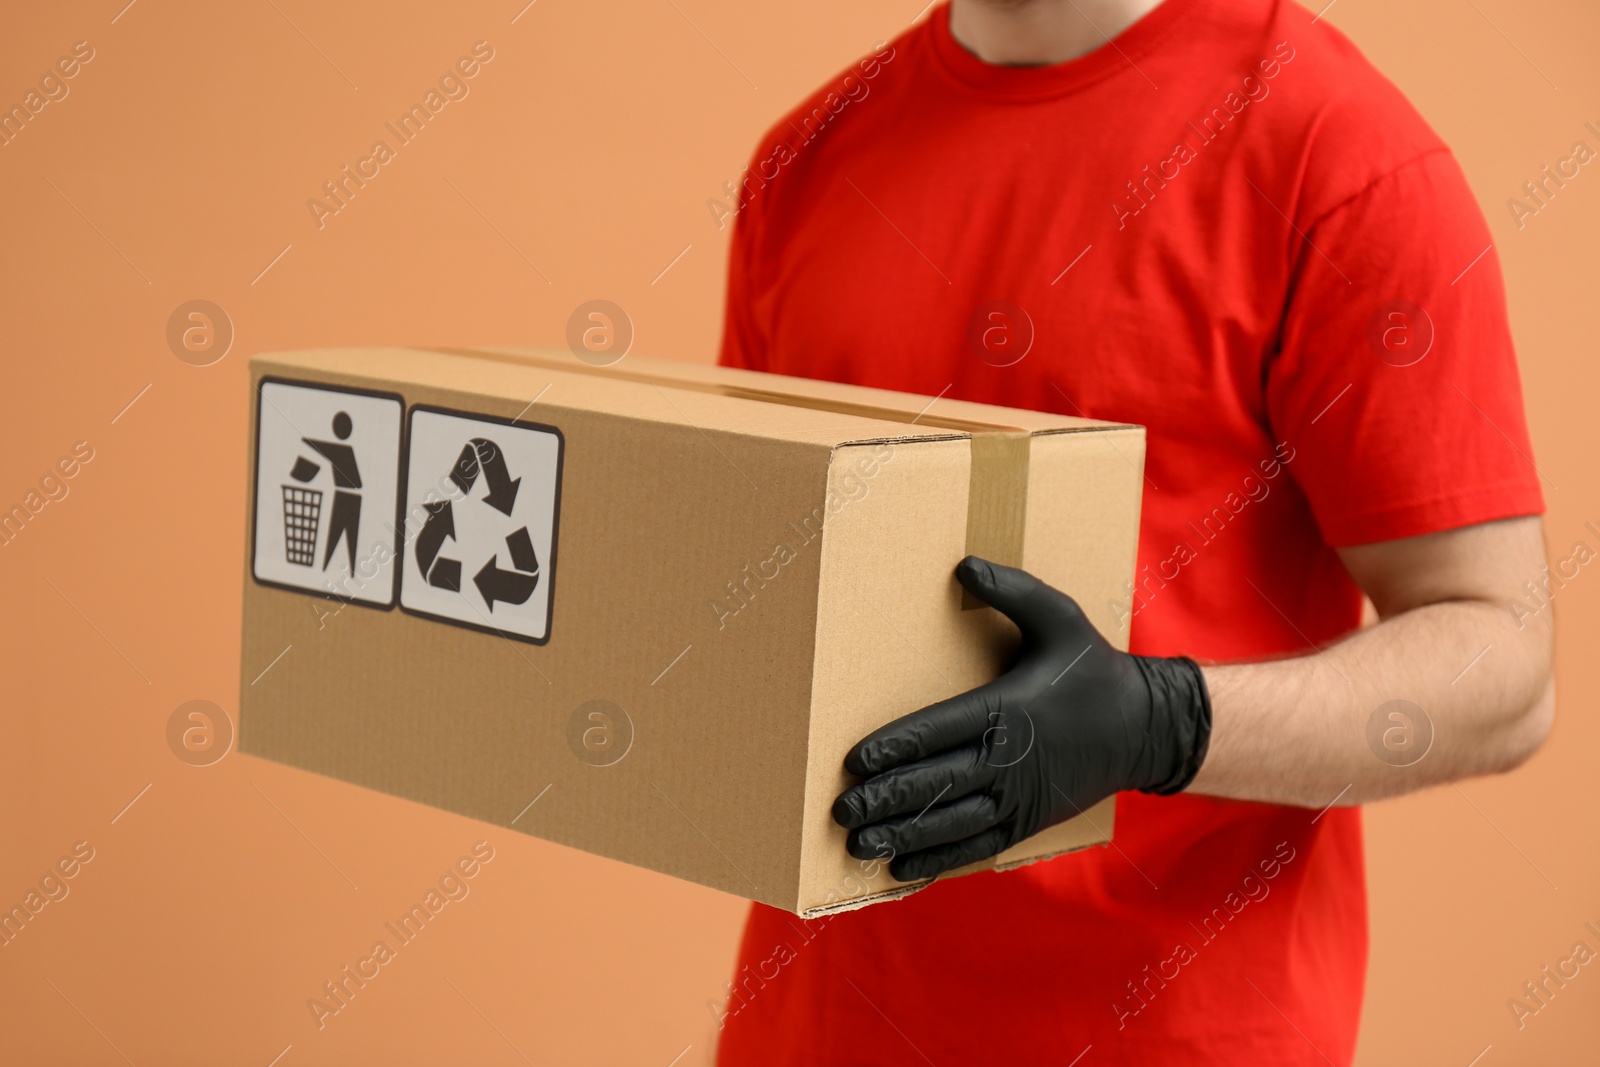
(1228, 228)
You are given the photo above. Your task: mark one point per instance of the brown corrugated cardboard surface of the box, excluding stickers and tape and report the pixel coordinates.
(676, 502)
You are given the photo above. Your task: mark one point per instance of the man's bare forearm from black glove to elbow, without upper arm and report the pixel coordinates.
(1297, 732)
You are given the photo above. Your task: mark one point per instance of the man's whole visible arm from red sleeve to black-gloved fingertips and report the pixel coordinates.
(946, 786)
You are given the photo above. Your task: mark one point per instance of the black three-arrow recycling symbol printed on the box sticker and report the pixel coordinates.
(497, 585)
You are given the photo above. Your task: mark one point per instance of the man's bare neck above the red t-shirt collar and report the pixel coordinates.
(1039, 33)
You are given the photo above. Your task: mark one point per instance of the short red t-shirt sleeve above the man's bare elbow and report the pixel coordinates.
(1396, 378)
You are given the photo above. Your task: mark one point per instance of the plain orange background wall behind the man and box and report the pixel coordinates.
(578, 167)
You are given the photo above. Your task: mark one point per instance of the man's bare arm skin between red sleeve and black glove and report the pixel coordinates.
(1295, 732)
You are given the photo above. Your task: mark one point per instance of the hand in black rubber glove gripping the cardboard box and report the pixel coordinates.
(1073, 722)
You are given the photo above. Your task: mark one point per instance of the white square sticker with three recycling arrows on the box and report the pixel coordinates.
(481, 516)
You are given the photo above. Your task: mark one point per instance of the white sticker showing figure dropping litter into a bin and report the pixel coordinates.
(327, 490)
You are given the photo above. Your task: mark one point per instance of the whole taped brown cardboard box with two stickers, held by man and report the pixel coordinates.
(644, 610)
